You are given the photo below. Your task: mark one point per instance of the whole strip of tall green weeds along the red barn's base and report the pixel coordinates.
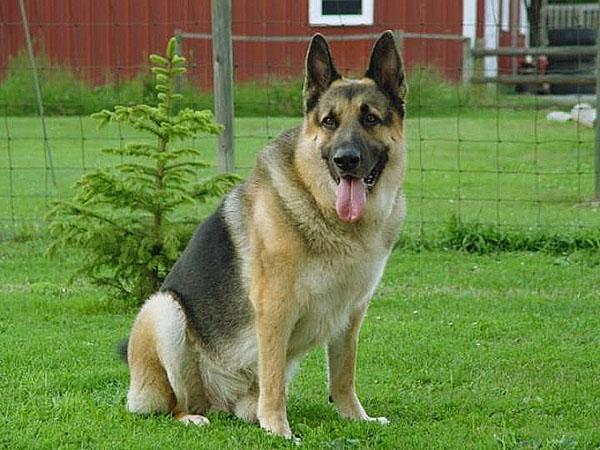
(65, 94)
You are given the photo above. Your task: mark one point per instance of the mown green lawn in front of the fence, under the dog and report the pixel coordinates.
(458, 351)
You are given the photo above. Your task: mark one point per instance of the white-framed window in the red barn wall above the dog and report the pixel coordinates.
(340, 12)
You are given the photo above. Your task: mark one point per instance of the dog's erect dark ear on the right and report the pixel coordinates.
(386, 68)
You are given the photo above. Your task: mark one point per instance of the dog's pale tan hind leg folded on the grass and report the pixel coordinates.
(164, 373)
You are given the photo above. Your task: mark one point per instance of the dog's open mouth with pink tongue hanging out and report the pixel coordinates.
(351, 193)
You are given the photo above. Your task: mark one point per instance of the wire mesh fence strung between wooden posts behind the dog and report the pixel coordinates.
(482, 154)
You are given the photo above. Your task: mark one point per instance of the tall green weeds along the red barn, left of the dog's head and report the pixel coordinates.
(65, 94)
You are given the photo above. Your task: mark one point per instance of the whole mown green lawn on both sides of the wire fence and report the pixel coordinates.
(458, 350)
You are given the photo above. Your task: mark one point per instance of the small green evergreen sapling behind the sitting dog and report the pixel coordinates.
(129, 218)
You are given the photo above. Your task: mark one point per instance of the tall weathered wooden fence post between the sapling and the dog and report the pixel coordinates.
(223, 80)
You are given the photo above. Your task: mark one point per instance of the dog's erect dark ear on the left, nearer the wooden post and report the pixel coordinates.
(320, 71)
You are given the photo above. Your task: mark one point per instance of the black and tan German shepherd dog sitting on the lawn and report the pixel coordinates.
(288, 261)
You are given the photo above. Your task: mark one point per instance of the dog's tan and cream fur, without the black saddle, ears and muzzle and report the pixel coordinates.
(309, 278)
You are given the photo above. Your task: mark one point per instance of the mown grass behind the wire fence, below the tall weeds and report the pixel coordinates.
(496, 167)
